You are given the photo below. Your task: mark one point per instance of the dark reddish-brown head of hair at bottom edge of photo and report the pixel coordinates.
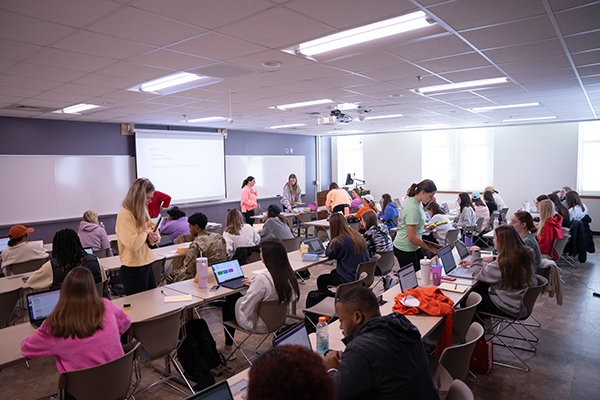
(290, 372)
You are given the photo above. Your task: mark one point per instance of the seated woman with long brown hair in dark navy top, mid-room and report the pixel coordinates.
(348, 248)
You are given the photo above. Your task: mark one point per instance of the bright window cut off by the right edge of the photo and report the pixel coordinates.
(588, 179)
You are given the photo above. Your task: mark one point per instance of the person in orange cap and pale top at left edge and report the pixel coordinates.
(20, 249)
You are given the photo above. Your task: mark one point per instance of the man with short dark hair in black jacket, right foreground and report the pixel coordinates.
(384, 356)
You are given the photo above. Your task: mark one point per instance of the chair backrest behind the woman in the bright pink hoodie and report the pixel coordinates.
(109, 381)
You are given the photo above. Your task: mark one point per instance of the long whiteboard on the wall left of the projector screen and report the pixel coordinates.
(47, 188)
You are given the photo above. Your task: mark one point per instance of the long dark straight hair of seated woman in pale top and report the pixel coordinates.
(277, 263)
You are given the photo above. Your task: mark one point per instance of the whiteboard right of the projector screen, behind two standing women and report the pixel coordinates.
(271, 174)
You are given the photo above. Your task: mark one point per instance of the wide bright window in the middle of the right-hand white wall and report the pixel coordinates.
(458, 159)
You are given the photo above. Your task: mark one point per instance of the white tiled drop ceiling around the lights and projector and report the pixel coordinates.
(57, 53)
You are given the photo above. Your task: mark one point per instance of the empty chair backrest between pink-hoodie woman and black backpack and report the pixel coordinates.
(159, 335)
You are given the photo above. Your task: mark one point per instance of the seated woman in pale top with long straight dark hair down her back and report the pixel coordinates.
(277, 283)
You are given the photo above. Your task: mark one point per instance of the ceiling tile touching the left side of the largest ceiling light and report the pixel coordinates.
(285, 28)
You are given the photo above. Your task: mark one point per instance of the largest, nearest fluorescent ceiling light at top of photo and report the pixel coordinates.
(363, 34)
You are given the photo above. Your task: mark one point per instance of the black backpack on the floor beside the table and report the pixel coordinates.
(198, 354)
